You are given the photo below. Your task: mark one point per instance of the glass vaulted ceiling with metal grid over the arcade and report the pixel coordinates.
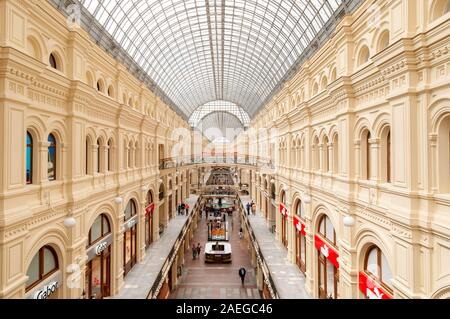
(199, 51)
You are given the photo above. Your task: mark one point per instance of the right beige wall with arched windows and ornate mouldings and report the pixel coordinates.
(405, 88)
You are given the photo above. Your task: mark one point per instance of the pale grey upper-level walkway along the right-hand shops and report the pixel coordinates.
(289, 281)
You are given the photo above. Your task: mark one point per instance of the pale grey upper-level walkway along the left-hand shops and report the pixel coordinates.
(140, 279)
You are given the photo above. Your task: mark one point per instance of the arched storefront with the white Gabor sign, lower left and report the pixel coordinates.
(44, 276)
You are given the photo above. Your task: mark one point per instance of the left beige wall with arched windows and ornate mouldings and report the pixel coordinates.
(41, 100)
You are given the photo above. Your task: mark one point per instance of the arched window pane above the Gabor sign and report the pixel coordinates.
(43, 265)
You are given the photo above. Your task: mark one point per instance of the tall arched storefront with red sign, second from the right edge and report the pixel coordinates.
(328, 265)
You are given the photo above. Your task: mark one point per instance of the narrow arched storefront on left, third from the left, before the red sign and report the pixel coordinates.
(130, 237)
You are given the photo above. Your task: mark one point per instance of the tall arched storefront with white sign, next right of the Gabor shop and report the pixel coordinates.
(98, 267)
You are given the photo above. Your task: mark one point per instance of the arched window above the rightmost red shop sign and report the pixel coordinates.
(377, 267)
